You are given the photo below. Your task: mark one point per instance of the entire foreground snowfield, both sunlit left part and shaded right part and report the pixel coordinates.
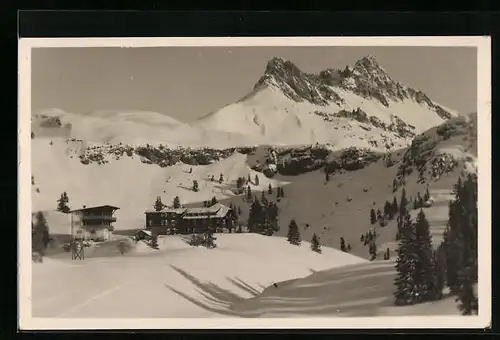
(234, 280)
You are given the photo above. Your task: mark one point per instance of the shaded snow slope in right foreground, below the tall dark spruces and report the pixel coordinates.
(361, 290)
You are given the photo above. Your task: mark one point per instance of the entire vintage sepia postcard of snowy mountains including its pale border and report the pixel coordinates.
(176, 183)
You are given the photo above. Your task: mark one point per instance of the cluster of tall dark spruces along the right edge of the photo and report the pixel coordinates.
(423, 272)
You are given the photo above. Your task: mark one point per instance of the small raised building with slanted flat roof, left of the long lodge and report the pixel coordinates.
(93, 223)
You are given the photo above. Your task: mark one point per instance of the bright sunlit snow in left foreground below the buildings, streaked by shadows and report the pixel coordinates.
(175, 281)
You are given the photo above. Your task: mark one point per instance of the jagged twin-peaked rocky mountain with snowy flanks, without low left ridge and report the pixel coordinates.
(343, 108)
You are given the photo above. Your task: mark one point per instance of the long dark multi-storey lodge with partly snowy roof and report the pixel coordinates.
(189, 220)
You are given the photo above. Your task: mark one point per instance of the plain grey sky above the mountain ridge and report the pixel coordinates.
(189, 82)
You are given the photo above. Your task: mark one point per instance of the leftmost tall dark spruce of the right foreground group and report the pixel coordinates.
(405, 264)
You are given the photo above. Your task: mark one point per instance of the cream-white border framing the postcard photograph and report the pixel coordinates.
(28, 322)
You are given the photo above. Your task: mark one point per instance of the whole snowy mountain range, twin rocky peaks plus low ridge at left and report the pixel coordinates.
(359, 106)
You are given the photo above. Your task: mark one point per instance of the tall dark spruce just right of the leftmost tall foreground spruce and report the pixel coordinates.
(424, 271)
